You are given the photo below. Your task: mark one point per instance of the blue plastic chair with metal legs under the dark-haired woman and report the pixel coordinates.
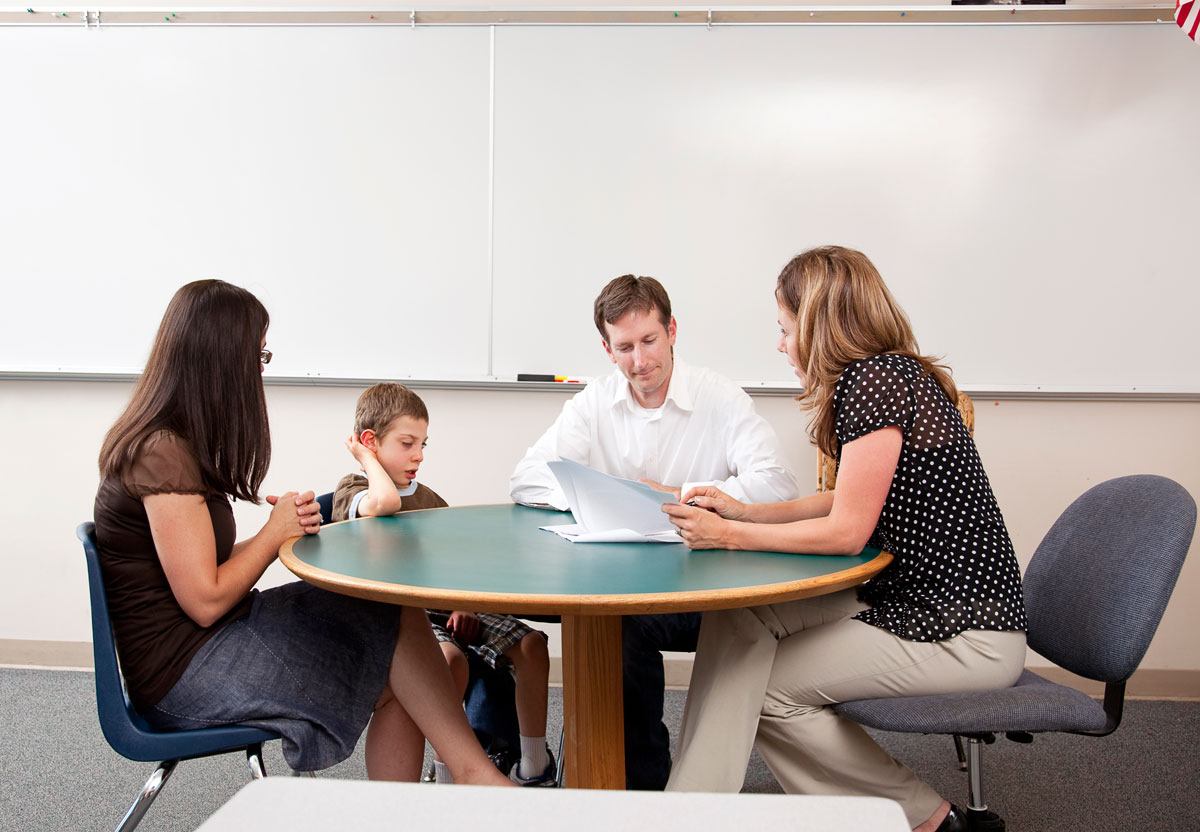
(127, 732)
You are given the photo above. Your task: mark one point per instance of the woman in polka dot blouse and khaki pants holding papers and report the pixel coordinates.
(946, 615)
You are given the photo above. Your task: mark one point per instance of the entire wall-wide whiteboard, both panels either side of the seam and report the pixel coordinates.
(1025, 191)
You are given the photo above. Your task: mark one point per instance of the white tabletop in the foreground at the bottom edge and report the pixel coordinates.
(319, 805)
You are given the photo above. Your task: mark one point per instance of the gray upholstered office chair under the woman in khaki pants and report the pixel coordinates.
(1095, 592)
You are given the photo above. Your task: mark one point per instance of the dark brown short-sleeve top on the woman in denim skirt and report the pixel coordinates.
(155, 638)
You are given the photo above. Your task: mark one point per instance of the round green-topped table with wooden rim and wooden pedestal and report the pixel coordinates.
(495, 559)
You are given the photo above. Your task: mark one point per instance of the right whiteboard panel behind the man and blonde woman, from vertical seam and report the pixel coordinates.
(1024, 190)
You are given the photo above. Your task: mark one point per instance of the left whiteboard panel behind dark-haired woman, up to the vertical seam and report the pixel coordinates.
(340, 175)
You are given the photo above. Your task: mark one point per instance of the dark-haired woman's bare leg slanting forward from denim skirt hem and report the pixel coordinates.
(422, 684)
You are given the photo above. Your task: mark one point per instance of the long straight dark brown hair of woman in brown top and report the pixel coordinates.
(203, 382)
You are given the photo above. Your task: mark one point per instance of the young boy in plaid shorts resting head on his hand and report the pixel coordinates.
(391, 429)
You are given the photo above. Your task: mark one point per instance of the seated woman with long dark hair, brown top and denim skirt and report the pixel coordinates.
(199, 645)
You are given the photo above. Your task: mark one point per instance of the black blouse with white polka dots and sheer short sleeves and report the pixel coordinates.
(955, 567)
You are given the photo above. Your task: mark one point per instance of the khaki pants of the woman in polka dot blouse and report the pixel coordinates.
(767, 677)
